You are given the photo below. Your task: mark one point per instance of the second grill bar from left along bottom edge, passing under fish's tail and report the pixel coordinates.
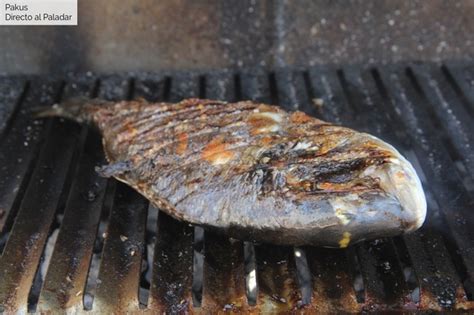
(67, 271)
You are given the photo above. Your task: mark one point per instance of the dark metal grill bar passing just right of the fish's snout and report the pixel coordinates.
(447, 186)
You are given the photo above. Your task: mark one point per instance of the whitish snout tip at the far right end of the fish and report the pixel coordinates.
(398, 178)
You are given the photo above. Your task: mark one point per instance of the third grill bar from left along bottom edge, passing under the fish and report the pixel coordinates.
(118, 282)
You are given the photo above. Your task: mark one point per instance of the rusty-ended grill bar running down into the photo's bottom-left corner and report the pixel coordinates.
(28, 236)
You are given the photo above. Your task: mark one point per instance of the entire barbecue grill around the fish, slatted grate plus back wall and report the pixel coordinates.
(71, 241)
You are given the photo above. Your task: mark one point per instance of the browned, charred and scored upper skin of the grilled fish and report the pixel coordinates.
(289, 162)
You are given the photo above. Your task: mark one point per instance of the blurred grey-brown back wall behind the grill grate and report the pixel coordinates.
(119, 35)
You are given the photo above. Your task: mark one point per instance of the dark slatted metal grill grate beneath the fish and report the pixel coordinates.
(110, 253)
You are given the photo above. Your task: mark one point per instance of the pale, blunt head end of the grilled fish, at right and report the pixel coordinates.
(364, 190)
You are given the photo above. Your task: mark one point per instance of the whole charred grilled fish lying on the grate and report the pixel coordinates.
(257, 172)
